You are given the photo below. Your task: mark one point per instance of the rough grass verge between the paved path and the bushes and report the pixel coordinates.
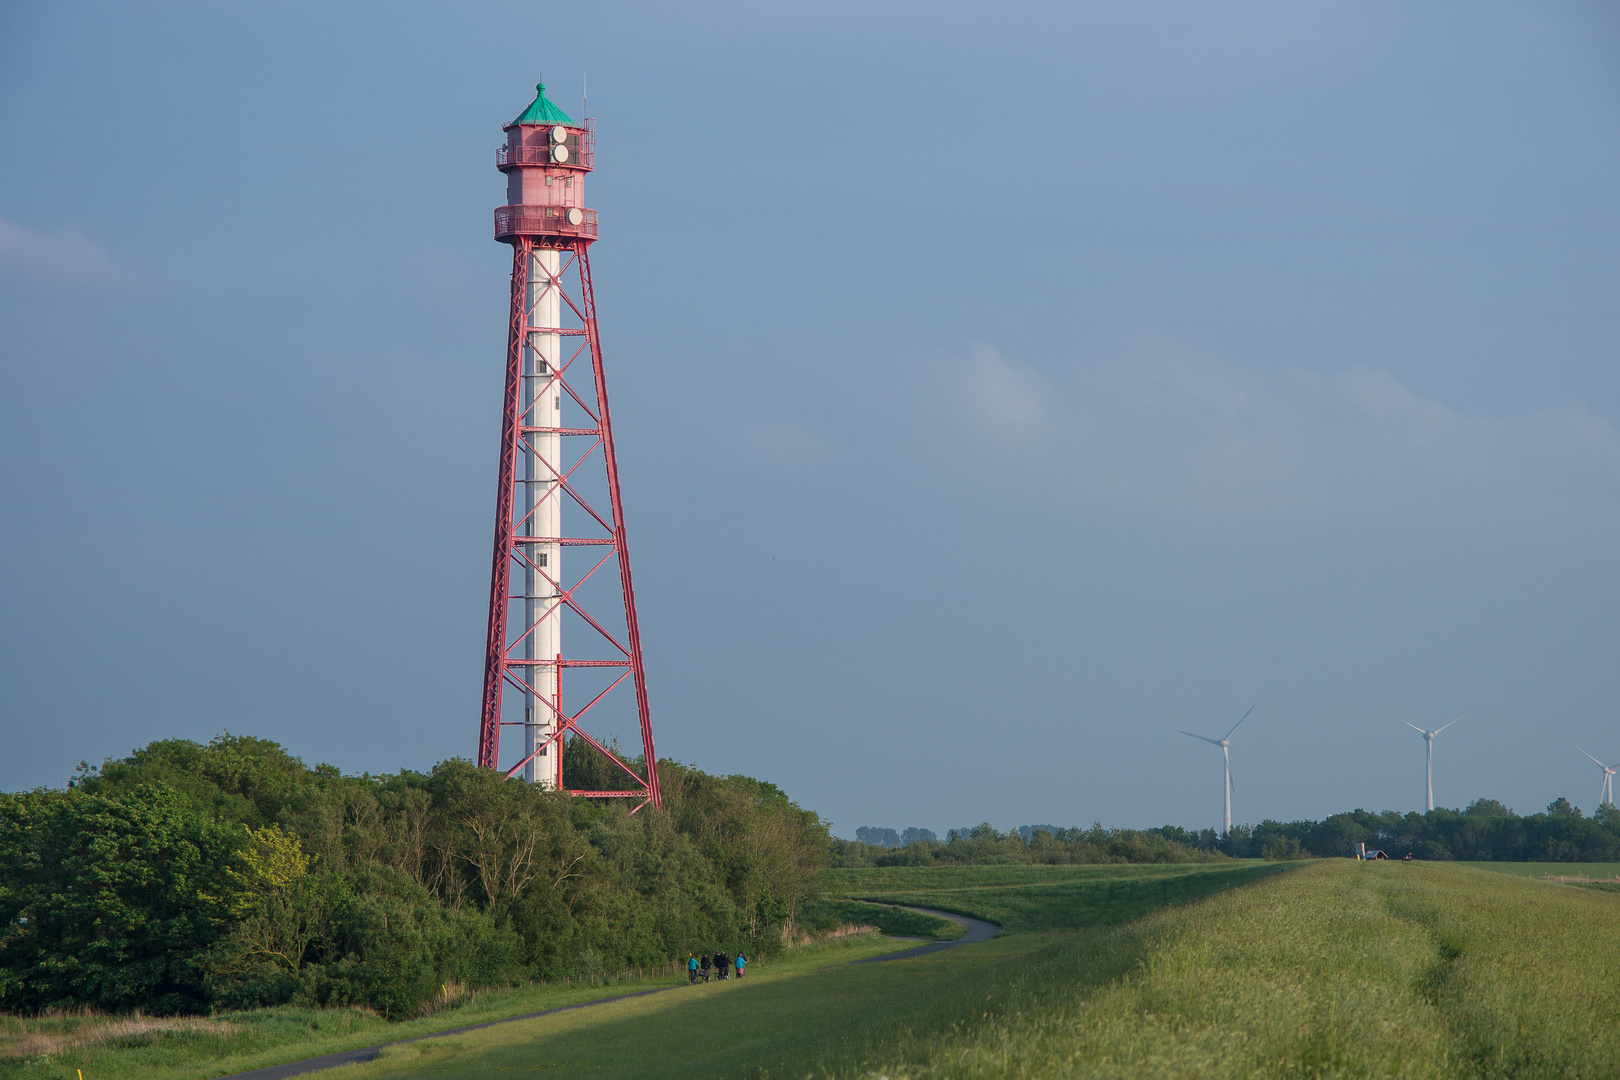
(58, 1047)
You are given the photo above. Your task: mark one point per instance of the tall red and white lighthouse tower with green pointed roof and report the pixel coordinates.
(555, 422)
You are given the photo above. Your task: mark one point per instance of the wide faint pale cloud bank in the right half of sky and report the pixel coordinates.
(1174, 428)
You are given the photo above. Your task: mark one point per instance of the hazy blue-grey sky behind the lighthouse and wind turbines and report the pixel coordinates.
(1000, 389)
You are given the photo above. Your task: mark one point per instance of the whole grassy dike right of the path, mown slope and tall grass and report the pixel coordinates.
(1425, 971)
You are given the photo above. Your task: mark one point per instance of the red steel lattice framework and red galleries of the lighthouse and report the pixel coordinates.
(531, 229)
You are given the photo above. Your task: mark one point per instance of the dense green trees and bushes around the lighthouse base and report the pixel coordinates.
(185, 878)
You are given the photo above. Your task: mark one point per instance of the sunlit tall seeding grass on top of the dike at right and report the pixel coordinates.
(1337, 971)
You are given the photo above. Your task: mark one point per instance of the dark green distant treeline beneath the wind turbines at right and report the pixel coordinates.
(1486, 831)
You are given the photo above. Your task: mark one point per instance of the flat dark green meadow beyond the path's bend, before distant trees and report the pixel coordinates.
(1049, 898)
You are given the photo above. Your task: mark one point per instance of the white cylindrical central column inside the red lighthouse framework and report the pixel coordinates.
(544, 504)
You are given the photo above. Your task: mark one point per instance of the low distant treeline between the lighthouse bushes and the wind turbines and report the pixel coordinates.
(1033, 844)
